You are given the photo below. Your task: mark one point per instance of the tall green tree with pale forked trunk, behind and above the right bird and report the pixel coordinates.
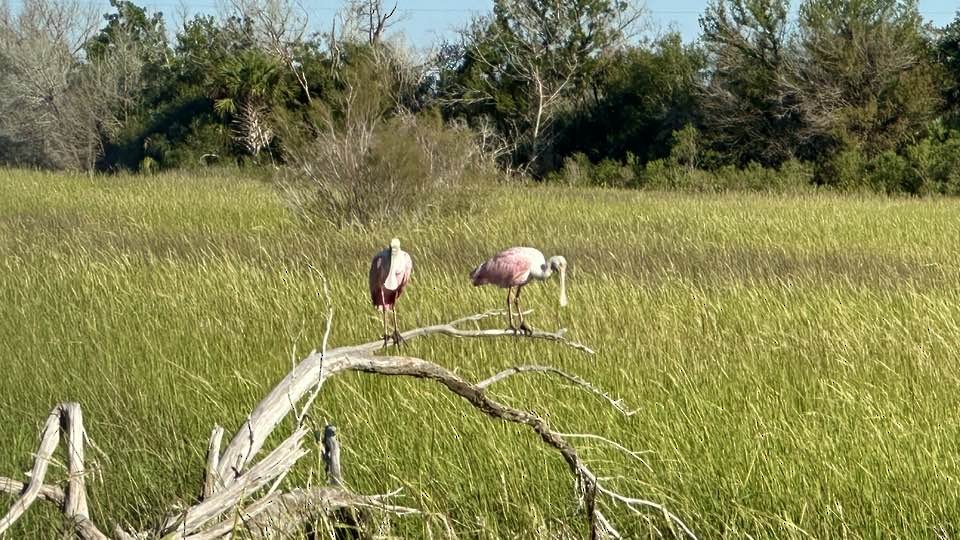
(528, 62)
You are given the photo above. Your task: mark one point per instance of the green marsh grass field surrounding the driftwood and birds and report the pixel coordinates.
(793, 359)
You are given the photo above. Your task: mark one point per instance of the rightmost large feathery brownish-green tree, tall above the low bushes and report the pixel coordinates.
(863, 76)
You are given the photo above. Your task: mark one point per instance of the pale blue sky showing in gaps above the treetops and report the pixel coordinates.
(424, 22)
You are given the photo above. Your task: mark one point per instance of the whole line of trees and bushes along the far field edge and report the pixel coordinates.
(858, 94)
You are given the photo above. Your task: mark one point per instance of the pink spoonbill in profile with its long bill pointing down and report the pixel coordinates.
(515, 267)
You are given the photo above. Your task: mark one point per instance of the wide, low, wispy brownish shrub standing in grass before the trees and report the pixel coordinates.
(406, 166)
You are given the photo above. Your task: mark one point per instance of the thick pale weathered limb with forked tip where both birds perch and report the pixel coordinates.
(316, 368)
